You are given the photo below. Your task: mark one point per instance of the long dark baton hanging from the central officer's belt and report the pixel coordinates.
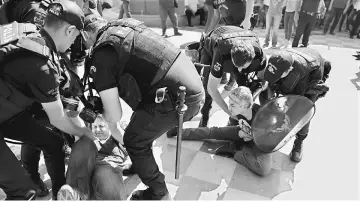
(181, 109)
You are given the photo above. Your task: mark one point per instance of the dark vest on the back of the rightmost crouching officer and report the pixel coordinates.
(306, 60)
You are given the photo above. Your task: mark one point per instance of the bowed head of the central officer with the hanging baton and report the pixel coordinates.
(93, 24)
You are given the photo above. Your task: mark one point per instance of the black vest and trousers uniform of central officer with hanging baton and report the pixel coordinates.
(130, 56)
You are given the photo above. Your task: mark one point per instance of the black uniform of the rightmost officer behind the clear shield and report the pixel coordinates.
(308, 74)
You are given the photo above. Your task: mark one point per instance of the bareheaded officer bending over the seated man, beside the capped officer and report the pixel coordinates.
(228, 49)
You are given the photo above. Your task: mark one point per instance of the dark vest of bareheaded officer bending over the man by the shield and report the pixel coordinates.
(225, 37)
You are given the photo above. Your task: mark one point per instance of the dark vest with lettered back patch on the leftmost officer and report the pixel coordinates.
(17, 38)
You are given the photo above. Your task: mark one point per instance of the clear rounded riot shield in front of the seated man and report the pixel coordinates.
(279, 120)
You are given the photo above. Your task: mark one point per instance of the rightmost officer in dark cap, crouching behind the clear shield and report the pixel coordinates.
(297, 71)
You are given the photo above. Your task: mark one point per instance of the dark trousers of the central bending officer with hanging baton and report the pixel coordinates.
(150, 121)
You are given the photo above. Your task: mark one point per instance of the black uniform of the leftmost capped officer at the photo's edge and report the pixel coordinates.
(39, 81)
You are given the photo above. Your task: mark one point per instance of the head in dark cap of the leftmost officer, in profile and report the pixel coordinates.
(64, 22)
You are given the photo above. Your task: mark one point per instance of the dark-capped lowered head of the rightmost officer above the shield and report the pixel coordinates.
(279, 66)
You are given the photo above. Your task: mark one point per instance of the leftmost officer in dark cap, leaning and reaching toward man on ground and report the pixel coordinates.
(38, 83)
